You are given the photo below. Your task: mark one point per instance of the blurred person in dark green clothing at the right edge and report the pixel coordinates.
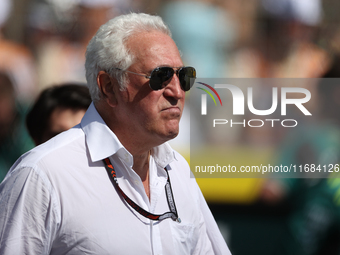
(312, 196)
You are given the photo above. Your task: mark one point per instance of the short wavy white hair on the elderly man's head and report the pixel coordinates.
(107, 50)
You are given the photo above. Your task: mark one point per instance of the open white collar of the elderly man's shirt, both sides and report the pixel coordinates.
(103, 143)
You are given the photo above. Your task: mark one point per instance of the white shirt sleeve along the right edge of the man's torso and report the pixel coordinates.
(217, 241)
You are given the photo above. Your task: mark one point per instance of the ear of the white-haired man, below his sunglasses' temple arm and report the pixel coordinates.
(108, 87)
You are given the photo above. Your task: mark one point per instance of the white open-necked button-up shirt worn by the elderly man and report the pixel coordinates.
(58, 199)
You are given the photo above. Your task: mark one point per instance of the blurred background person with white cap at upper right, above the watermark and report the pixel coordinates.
(285, 44)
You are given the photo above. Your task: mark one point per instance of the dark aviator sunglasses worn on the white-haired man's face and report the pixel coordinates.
(161, 76)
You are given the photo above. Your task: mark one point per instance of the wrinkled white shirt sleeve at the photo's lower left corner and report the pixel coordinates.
(28, 219)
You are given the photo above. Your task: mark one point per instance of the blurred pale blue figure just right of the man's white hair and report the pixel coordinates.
(204, 32)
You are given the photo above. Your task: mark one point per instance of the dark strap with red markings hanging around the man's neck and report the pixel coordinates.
(168, 191)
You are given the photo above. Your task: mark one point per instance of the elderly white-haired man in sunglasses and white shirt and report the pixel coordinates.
(103, 187)
